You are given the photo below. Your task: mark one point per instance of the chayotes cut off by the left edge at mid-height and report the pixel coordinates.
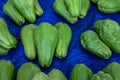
(7, 41)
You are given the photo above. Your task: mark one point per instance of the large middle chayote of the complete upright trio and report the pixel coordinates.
(46, 38)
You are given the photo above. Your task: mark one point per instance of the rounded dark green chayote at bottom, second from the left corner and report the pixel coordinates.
(27, 71)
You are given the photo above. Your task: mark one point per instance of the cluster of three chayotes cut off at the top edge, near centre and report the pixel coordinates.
(71, 10)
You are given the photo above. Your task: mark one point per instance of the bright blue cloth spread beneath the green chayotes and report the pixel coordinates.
(76, 53)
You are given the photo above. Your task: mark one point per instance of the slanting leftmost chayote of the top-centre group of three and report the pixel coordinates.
(60, 8)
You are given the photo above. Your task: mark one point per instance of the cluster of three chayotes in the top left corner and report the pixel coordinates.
(21, 10)
